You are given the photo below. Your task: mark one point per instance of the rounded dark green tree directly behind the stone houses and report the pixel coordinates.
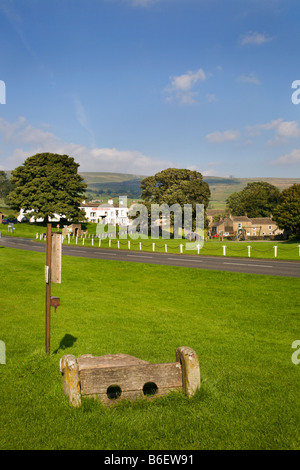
(257, 199)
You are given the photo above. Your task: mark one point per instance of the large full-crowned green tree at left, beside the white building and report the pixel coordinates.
(48, 183)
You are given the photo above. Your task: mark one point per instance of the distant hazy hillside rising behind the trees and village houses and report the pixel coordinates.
(105, 185)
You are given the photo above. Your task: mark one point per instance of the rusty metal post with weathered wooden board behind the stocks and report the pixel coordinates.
(52, 274)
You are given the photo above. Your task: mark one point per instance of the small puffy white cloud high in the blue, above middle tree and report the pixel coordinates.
(181, 86)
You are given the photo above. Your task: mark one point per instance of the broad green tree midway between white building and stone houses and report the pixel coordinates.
(175, 186)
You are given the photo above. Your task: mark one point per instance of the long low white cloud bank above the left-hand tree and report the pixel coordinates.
(30, 140)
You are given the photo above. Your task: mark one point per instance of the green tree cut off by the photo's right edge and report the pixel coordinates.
(287, 212)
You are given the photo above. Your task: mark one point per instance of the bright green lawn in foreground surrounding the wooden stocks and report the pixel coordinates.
(241, 326)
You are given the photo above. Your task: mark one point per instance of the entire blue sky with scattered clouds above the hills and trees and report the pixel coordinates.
(136, 86)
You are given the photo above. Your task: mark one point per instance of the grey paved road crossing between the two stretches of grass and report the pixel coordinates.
(220, 263)
